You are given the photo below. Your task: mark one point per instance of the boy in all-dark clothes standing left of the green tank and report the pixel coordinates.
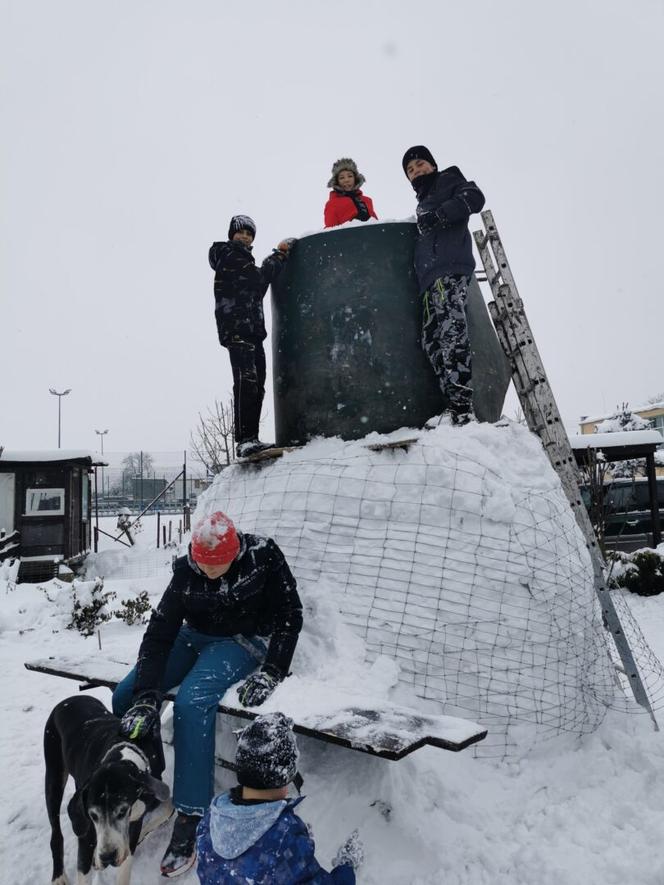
(239, 289)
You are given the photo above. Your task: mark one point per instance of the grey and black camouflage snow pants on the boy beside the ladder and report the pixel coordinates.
(445, 340)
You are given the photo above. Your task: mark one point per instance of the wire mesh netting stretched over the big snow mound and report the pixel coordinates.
(458, 563)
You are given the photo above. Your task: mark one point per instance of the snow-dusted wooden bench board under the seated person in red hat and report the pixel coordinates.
(391, 731)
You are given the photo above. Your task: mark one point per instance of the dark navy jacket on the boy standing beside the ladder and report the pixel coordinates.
(445, 250)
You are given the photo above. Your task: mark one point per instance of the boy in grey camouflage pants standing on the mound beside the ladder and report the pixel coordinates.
(444, 264)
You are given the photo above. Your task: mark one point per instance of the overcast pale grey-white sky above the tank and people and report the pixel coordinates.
(134, 129)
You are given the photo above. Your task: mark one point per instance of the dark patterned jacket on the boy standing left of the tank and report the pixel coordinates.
(239, 289)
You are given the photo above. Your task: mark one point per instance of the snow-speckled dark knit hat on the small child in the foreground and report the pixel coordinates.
(266, 756)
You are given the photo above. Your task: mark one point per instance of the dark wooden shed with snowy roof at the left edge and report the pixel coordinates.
(45, 501)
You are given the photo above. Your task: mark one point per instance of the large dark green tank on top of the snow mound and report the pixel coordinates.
(346, 319)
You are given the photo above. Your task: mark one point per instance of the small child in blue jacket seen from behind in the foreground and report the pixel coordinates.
(252, 834)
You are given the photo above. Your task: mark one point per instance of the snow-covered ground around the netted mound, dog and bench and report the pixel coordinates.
(573, 810)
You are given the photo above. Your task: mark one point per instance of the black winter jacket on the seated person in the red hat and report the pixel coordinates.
(256, 597)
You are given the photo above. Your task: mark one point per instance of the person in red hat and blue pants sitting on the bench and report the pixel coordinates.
(230, 612)
